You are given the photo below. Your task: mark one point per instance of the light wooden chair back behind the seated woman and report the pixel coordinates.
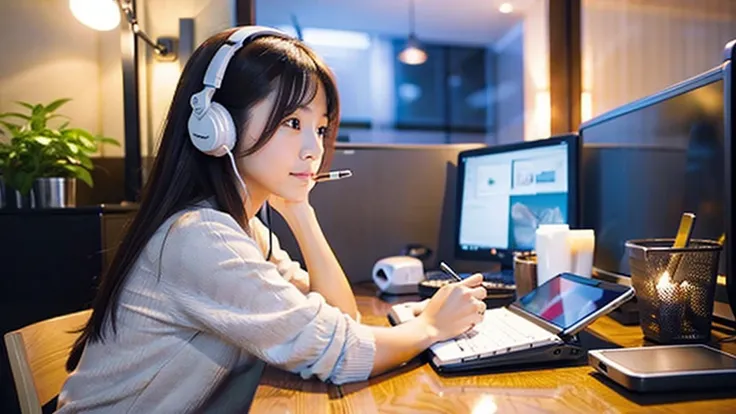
(37, 355)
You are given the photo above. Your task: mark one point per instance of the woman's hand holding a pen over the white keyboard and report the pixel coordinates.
(455, 308)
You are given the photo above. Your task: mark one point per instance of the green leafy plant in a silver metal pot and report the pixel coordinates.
(46, 159)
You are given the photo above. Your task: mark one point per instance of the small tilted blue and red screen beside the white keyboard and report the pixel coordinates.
(565, 300)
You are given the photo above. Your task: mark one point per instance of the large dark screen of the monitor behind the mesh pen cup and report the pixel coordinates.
(650, 161)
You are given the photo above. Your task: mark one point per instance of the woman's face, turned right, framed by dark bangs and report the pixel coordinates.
(285, 166)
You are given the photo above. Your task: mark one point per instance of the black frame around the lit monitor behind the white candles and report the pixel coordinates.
(505, 256)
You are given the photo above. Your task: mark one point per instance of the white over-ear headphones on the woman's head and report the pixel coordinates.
(211, 128)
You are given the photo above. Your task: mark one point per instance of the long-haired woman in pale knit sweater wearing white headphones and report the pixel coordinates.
(199, 288)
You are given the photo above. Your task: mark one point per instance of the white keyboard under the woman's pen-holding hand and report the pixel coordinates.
(500, 332)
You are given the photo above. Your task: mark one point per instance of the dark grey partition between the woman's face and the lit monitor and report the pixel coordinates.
(398, 195)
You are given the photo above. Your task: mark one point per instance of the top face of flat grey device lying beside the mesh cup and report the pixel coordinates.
(671, 359)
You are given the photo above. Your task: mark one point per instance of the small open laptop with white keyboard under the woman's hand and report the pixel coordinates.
(541, 326)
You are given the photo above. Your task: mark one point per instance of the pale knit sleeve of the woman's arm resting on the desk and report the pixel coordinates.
(219, 282)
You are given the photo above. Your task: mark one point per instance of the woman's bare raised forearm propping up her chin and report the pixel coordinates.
(325, 273)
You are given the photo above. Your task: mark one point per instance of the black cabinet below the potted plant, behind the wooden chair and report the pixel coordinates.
(50, 263)
